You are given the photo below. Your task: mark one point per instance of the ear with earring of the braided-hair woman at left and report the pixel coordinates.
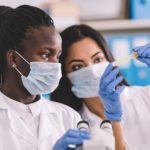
(11, 59)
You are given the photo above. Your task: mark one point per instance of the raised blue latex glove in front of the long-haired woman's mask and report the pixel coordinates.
(110, 91)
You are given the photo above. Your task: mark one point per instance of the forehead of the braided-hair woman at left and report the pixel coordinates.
(36, 38)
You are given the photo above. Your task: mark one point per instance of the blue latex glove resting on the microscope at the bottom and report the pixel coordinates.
(75, 137)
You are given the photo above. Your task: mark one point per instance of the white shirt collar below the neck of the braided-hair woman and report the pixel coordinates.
(22, 109)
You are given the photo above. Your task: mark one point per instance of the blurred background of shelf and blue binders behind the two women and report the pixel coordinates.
(124, 23)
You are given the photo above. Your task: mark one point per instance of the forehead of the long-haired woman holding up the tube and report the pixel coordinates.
(83, 48)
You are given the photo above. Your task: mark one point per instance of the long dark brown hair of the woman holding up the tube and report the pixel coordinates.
(63, 93)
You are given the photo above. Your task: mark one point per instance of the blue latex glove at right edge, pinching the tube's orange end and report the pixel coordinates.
(144, 53)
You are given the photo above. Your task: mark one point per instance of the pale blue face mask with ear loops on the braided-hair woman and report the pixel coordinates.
(43, 77)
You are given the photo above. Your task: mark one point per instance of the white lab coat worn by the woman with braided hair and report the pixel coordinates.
(55, 120)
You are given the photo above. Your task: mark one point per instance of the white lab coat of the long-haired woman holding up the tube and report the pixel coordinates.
(136, 117)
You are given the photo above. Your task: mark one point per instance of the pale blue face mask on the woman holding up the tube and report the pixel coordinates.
(85, 82)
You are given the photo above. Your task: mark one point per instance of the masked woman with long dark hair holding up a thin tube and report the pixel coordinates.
(98, 91)
